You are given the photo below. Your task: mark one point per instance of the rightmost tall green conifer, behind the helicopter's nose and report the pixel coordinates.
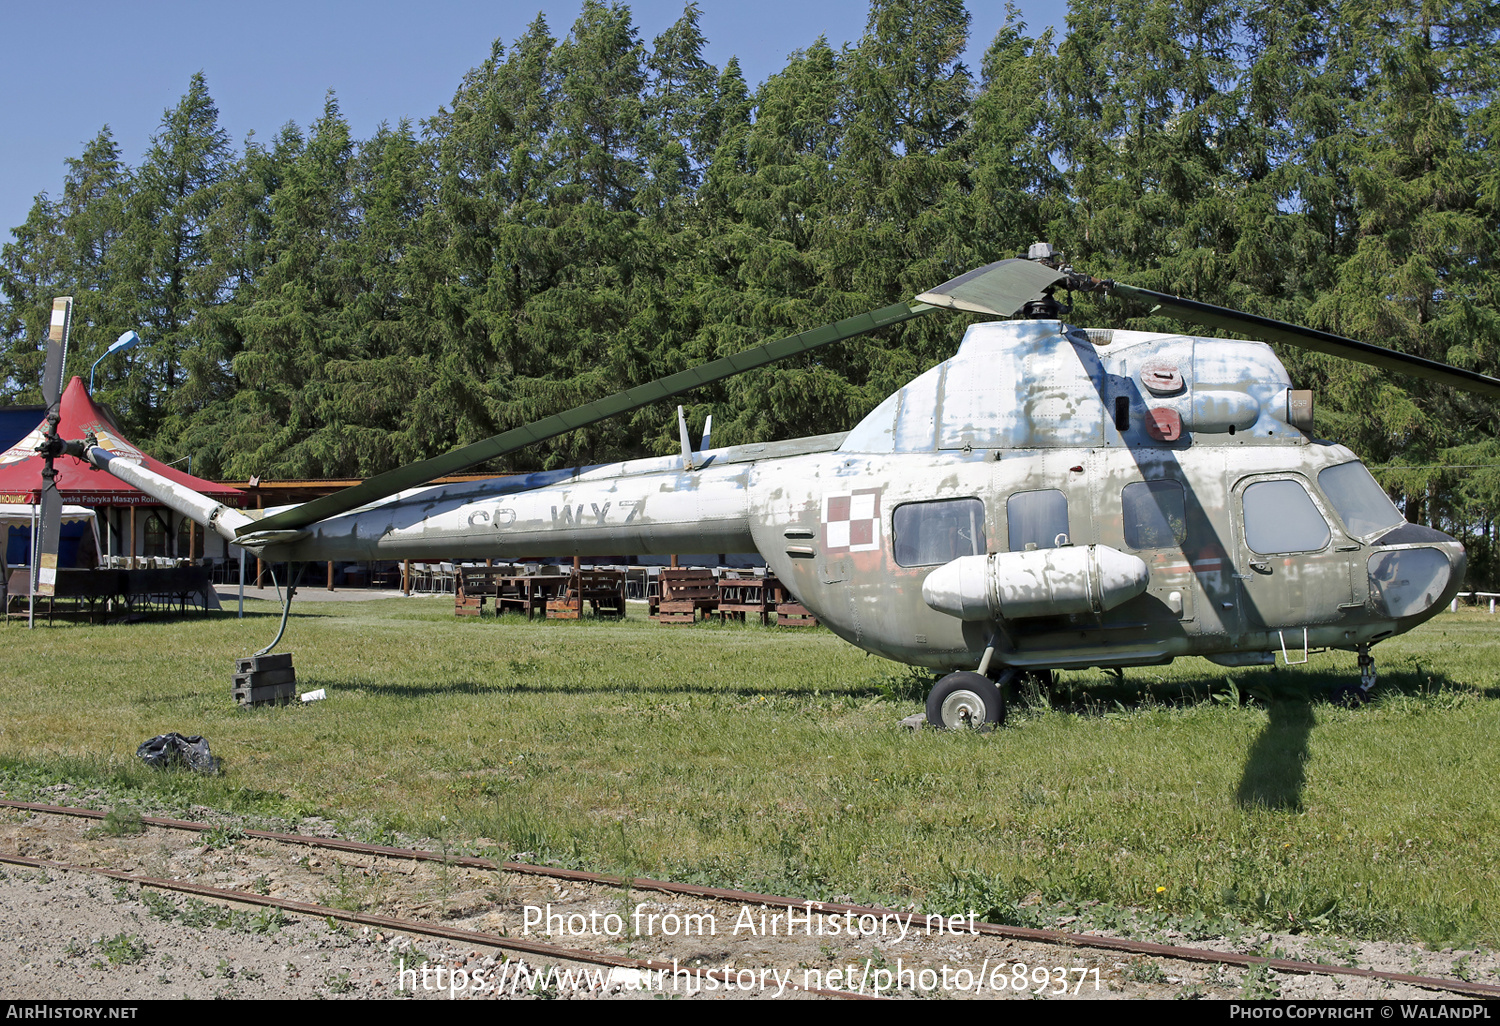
(1421, 275)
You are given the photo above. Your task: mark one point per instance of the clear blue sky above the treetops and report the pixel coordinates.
(104, 62)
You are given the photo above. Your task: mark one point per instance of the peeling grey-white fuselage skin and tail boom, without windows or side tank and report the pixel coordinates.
(1024, 407)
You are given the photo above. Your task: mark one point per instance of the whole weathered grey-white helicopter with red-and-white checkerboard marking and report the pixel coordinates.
(1049, 499)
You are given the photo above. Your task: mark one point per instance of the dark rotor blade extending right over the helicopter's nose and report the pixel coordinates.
(1262, 328)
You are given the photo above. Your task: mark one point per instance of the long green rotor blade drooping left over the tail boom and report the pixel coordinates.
(644, 395)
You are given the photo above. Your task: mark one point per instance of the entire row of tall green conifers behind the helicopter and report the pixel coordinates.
(595, 211)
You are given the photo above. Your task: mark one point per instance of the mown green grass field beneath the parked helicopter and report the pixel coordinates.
(1190, 796)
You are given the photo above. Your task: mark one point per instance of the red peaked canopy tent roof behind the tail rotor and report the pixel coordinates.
(79, 482)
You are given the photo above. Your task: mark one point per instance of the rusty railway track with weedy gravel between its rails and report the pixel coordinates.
(659, 935)
